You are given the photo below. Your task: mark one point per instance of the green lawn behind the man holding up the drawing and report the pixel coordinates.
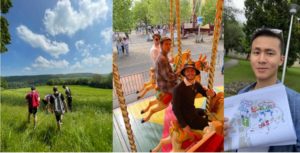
(243, 72)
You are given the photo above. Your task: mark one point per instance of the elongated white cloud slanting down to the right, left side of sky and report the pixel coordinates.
(54, 48)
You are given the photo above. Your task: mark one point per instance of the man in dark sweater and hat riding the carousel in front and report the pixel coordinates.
(188, 116)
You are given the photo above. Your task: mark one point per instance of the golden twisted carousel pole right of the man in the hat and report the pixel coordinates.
(217, 28)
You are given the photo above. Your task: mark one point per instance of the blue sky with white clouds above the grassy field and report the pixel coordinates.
(58, 37)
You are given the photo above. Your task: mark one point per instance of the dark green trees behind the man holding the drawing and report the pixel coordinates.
(273, 14)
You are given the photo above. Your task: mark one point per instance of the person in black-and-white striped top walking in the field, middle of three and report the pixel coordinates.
(58, 102)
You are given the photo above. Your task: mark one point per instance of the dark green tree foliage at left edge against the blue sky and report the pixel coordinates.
(4, 36)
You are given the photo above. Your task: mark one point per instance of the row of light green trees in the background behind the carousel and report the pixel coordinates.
(128, 14)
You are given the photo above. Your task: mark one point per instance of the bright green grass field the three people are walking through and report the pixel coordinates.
(87, 129)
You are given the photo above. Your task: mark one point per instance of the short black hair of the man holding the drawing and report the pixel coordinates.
(275, 33)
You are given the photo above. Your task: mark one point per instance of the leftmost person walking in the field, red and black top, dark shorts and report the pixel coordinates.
(33, 100)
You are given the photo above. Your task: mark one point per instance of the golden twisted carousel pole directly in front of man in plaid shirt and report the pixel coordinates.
(178, 33)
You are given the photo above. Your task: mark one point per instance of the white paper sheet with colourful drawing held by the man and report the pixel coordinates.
(259, 118)
